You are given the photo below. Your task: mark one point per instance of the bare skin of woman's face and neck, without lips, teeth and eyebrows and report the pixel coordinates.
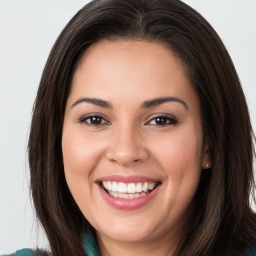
(127, 140)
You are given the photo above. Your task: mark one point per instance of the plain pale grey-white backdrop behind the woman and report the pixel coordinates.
(28, 29)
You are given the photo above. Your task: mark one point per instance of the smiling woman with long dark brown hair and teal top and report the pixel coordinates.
(141, 142)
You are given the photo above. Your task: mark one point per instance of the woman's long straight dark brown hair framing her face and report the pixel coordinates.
(222, 222)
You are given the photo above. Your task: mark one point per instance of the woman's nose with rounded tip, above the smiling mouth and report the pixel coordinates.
(126, 147)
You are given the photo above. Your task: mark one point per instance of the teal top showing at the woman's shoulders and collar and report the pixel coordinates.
(91, 248)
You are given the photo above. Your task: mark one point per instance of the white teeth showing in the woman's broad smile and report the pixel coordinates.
(135, 189)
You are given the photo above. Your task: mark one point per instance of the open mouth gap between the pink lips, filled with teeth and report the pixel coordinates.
(128, 190)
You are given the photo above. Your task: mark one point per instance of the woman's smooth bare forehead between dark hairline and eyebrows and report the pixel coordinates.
(132, 68)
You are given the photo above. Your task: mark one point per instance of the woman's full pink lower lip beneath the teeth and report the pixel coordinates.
(128, 204)
